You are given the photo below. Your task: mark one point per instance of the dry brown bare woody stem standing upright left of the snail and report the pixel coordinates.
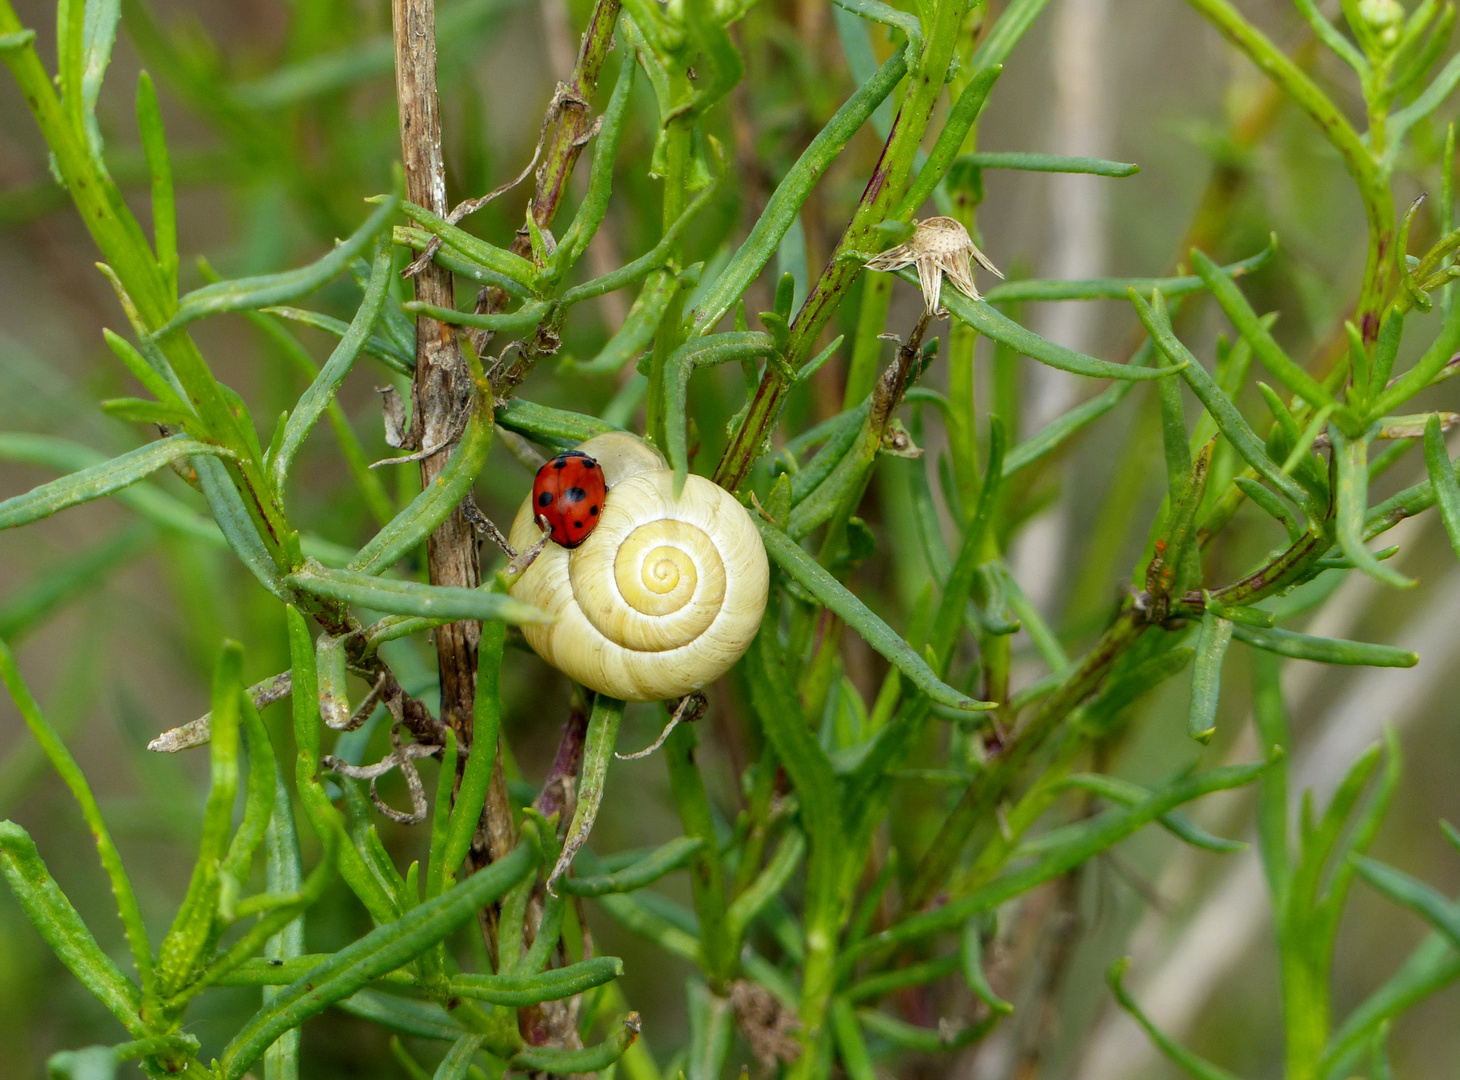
(442, 387)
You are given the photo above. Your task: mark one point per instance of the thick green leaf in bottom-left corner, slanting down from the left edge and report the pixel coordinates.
(62, 929)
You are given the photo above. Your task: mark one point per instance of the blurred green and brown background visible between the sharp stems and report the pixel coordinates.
(283, 120)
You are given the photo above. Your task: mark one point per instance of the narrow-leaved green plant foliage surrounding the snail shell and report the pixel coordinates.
(842, 890)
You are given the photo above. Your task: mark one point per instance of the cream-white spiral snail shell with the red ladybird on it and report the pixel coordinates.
(664, 598)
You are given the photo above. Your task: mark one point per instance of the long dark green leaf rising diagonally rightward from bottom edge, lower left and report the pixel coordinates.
(379, 952)
